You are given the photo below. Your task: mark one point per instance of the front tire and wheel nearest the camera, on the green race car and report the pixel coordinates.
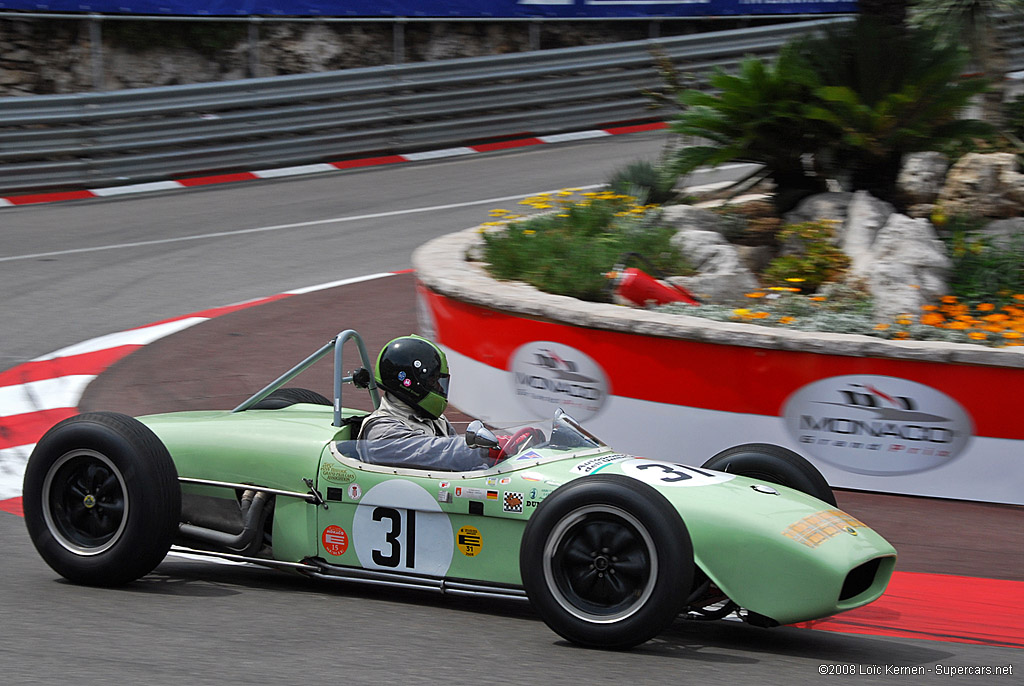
(607, 562)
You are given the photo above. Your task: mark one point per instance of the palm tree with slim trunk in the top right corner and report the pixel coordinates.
(976, 24)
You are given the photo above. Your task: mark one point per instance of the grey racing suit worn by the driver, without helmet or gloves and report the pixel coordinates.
(396, 436)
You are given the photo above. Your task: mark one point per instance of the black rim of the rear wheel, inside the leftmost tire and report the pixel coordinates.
(86, 502)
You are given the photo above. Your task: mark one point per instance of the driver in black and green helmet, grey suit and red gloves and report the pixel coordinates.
(409, 430)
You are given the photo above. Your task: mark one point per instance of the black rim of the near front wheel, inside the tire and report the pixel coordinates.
(601, 565)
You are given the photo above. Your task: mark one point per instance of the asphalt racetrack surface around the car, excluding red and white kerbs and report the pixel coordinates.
(202, 623)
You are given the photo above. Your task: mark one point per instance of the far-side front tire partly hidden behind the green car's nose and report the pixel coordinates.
(775, 464)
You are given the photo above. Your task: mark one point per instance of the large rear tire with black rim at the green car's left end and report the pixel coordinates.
(102, 499)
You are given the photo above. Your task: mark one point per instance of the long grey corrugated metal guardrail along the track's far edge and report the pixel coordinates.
(108, 139)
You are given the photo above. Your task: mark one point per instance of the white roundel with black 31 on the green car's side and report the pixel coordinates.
(399, 526)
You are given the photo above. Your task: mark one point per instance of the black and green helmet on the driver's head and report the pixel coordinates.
(415, 371)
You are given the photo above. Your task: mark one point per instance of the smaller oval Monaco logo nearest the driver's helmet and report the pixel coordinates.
(547, 376)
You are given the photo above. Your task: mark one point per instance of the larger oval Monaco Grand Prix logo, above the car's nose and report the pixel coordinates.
(878, 425)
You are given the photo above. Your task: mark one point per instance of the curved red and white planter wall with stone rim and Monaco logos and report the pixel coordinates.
(907, 417)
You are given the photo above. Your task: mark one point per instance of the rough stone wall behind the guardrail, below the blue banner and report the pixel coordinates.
(42, 57)
